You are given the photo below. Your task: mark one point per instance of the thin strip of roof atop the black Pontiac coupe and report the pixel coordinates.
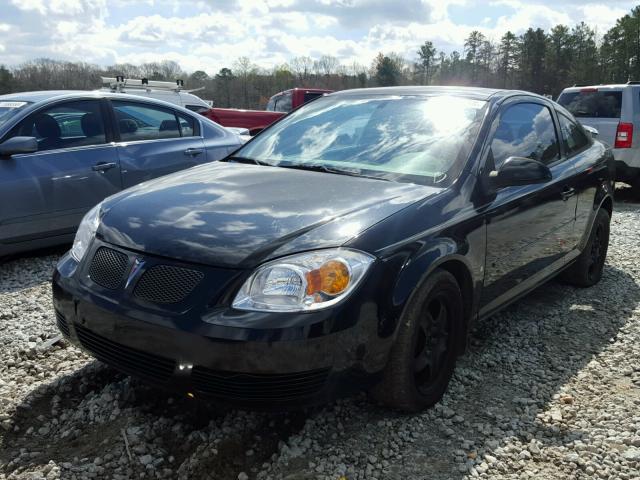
(470, 92)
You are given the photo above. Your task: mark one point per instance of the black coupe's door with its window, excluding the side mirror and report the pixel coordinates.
(529, 228)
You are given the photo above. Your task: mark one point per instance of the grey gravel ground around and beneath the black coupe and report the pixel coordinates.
(549, 389)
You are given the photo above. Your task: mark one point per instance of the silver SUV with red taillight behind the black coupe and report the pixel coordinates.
(613, 110)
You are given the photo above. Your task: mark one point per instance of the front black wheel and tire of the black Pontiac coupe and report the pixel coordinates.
(410, 382)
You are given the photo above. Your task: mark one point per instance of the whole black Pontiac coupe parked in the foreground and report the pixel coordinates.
(351, 245)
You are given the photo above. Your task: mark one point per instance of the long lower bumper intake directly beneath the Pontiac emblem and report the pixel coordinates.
(129, 360)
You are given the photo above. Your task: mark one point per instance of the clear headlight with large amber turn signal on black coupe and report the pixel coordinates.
(306, 281)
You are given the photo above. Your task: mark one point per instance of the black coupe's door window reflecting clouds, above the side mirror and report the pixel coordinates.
(525, 130)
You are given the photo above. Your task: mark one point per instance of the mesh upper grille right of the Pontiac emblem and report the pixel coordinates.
(167, 284)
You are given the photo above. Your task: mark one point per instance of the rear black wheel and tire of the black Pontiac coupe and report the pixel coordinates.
(586, 271)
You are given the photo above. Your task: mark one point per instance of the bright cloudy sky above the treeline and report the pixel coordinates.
(211, 34)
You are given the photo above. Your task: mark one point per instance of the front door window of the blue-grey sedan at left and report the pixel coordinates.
(67, 125)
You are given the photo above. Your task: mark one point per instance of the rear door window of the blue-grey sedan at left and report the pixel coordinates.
(137, 121)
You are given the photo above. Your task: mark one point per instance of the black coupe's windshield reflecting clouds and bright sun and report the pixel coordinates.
(417, 139)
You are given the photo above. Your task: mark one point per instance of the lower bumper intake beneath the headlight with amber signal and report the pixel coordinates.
(258, 387)
